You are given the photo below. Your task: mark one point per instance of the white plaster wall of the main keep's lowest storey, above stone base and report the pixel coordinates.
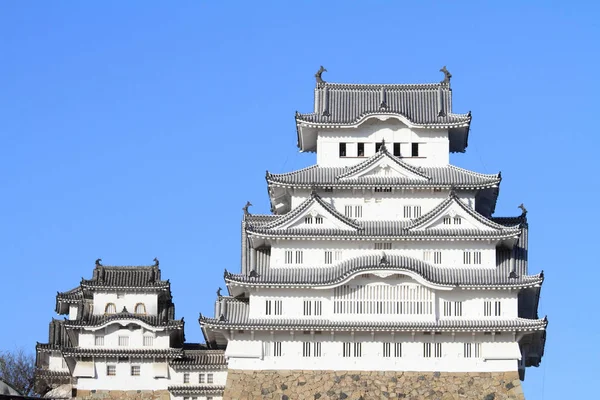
(372, 359)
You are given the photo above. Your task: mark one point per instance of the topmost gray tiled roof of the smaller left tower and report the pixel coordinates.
(126, 277)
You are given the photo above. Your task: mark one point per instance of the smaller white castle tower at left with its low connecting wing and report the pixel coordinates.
(120, 339)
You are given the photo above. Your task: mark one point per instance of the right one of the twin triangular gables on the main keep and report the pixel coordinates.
(453, 213)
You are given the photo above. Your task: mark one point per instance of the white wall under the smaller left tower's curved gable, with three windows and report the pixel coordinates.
(112, 332)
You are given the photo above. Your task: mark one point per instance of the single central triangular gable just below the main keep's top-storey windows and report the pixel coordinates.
(384, 165)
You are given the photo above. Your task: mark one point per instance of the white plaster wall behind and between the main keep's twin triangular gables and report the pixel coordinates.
(381, 205)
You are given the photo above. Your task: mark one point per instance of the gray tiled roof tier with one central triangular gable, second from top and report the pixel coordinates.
(449, 176)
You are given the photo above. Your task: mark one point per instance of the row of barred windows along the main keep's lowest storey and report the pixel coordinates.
(389, 349)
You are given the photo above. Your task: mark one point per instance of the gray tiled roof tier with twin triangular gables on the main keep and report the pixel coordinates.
(378, 229)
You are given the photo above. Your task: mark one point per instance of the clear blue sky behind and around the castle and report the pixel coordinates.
(134, 130)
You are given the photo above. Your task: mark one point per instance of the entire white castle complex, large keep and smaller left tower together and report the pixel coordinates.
(381, 272)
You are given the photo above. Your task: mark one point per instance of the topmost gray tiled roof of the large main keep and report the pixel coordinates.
(422, 104)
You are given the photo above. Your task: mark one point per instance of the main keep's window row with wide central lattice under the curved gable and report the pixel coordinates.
(315, 307)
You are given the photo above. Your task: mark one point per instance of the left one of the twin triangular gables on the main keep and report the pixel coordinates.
(313, 213)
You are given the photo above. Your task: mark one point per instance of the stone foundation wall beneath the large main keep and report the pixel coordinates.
(361, 385)
